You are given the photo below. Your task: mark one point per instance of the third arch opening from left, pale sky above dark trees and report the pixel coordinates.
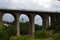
(38, 22)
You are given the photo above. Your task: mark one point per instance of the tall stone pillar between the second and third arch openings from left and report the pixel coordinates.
(31, 28)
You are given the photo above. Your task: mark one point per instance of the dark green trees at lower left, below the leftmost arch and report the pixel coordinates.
(6, 32)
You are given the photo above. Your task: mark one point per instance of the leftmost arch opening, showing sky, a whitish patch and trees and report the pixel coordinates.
(8, 23)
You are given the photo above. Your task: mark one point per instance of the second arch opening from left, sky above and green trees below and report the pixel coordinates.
(24, 23)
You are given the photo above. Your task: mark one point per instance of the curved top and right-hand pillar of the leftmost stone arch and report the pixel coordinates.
(16, 21)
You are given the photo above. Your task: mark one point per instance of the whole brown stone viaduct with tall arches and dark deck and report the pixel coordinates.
(31, 14)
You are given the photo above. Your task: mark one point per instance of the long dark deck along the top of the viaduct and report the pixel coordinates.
(28, 11)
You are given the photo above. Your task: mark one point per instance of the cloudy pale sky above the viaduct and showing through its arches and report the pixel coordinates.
(39, 5)
